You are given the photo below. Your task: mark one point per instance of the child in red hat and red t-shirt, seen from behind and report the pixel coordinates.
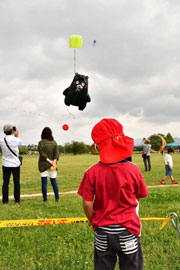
(110, 190)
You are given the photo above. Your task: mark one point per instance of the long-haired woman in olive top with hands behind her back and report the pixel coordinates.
(48, 156)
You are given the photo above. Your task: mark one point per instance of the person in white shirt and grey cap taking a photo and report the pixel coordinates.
(10, 162)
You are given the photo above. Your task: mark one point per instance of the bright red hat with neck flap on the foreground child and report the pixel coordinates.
(113, 145)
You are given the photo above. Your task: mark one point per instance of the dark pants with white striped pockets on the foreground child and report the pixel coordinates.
(111, 244)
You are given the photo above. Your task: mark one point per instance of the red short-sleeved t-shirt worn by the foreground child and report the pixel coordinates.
(114, 189)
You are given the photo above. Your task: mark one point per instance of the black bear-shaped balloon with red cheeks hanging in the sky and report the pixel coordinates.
(77, 93)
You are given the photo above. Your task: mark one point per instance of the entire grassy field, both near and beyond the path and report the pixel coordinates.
(71, 246)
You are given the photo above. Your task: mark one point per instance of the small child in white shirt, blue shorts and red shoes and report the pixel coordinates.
(169, 167)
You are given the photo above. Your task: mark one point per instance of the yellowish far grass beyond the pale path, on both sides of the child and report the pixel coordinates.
(71, 169)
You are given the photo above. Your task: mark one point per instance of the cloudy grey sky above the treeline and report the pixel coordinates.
(134, 68)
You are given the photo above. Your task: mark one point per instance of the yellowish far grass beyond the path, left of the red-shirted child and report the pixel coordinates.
(70, 171)
